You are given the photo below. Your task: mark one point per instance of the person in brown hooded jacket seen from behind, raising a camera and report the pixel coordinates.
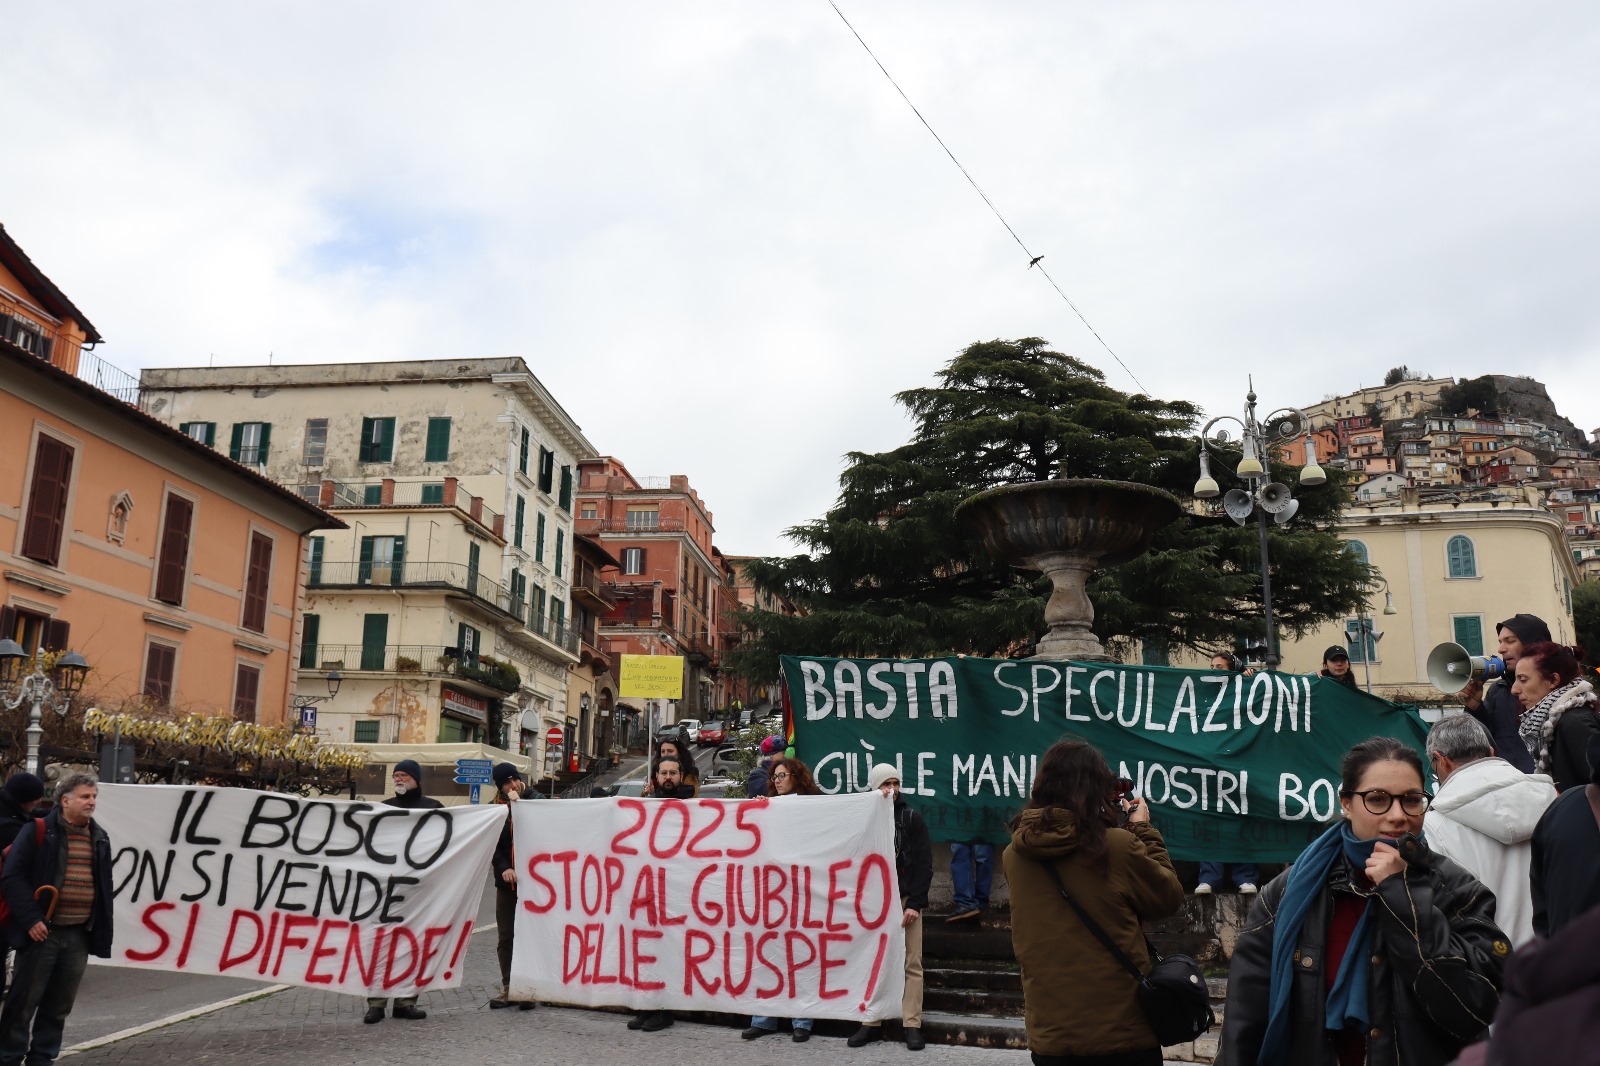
(1079, 1003)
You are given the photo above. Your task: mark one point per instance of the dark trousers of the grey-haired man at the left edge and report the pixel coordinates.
(42, 993)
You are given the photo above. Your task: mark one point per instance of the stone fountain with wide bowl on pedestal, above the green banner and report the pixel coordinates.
(1066, 531)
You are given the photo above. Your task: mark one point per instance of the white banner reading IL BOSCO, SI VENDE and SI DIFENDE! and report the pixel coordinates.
(358, 899)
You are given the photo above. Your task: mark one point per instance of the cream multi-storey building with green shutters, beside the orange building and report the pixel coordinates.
(447, 604)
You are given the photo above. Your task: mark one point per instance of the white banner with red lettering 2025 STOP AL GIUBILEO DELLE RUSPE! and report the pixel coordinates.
(785, 907)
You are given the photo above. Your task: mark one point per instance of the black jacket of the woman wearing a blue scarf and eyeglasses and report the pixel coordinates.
(1436, 969)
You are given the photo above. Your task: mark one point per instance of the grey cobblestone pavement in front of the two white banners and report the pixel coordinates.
(305, 1027)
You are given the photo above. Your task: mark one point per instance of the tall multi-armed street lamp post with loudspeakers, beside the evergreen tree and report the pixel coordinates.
(1262, 495)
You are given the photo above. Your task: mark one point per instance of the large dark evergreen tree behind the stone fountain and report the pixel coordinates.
(887, 572)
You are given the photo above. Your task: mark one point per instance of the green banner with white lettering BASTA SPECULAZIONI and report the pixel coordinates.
(1234, 767)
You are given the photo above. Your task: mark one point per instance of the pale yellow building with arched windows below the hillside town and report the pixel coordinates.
(1455, 569)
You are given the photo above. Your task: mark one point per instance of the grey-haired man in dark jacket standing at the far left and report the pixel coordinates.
(60, 894)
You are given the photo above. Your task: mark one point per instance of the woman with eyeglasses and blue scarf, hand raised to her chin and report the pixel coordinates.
(1370, 950)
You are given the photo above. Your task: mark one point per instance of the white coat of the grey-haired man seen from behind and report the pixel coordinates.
(1484, 819)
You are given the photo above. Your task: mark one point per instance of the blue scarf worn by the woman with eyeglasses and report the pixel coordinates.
(1306, 883)
